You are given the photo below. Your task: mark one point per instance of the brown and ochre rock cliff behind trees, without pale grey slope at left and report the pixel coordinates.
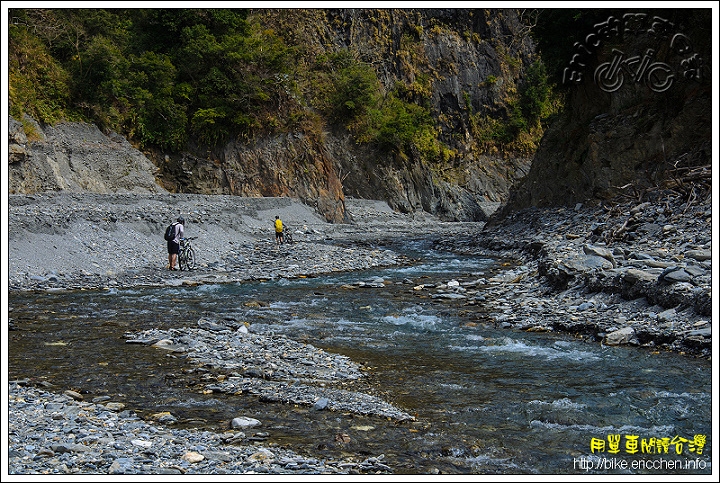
(458, 50)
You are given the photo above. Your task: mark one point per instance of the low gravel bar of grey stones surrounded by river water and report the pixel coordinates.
(272, 367)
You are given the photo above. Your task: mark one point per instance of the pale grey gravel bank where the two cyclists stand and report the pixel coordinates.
(71, 241)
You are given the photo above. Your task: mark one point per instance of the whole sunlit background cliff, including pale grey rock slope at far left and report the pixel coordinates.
(471, 60)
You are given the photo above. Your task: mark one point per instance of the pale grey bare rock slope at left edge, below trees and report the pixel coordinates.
(75, 157)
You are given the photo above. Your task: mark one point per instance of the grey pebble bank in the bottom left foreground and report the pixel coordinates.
(53, 434)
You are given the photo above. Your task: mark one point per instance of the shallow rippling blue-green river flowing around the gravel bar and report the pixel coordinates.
(487, 400)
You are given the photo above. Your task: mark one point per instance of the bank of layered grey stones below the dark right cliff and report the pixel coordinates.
(636, 273)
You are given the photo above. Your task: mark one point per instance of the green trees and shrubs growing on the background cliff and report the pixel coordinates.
(166, 77)
